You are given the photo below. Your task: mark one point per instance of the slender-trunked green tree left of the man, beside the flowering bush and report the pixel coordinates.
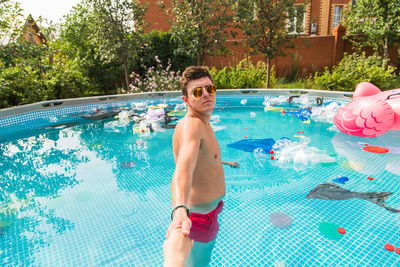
(119, 27)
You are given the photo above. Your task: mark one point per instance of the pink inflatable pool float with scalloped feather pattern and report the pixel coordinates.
(371, 112)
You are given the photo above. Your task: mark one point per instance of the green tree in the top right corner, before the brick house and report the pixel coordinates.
(374, 23)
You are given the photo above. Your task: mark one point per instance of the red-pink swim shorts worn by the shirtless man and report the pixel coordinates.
(205, 226)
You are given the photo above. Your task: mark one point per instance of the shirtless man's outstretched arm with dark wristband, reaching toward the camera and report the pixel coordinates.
(181, 184)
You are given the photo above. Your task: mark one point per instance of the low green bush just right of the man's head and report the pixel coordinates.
(244, 75)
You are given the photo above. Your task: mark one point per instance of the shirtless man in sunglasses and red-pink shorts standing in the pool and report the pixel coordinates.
(198, 183)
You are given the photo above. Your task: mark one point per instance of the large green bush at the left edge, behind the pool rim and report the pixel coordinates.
(31, 74)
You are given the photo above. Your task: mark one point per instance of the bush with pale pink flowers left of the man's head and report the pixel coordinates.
(156, 78)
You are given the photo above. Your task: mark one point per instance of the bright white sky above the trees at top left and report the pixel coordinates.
(49, 9)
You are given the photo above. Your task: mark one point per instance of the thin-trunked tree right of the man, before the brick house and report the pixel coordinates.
(265, 24)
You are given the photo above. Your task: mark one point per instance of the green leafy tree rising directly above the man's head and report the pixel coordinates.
(199, 26)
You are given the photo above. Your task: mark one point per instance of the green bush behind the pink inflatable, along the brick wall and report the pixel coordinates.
(356, 68)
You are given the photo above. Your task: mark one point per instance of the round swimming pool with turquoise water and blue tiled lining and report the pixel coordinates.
(98, 193)
